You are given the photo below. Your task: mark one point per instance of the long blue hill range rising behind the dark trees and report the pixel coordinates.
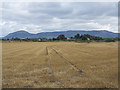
(71, 33)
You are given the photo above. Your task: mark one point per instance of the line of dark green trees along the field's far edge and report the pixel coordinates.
(77, 37)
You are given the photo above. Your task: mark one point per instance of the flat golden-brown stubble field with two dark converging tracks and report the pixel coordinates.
(59, 65)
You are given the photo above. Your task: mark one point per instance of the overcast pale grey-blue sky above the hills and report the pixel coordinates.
(36, 17)
